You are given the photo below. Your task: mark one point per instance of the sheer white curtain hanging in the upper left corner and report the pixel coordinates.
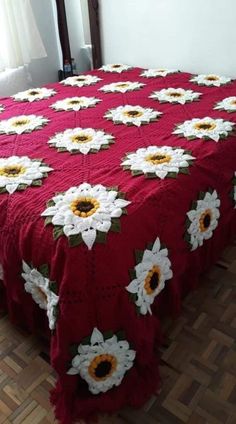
(19, 35)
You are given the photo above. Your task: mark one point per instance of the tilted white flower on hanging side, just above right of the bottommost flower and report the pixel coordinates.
(149, 277)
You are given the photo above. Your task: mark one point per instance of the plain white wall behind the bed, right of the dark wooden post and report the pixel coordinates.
(192, 35)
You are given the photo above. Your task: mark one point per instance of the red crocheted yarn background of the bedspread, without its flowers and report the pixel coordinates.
(92, 282)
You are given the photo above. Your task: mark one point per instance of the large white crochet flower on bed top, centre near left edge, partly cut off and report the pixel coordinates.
(19, 172)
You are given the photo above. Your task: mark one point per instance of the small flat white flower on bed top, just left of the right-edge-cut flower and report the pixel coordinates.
(175, 95)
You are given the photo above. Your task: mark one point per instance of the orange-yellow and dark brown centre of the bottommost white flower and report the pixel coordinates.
(102, 367)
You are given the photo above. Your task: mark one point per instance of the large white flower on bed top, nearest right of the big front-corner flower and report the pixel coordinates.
(158, 161)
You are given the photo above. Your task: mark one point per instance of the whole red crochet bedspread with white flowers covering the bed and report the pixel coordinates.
(108, 258)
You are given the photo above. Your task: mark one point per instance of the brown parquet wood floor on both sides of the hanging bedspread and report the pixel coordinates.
(198, 363)
